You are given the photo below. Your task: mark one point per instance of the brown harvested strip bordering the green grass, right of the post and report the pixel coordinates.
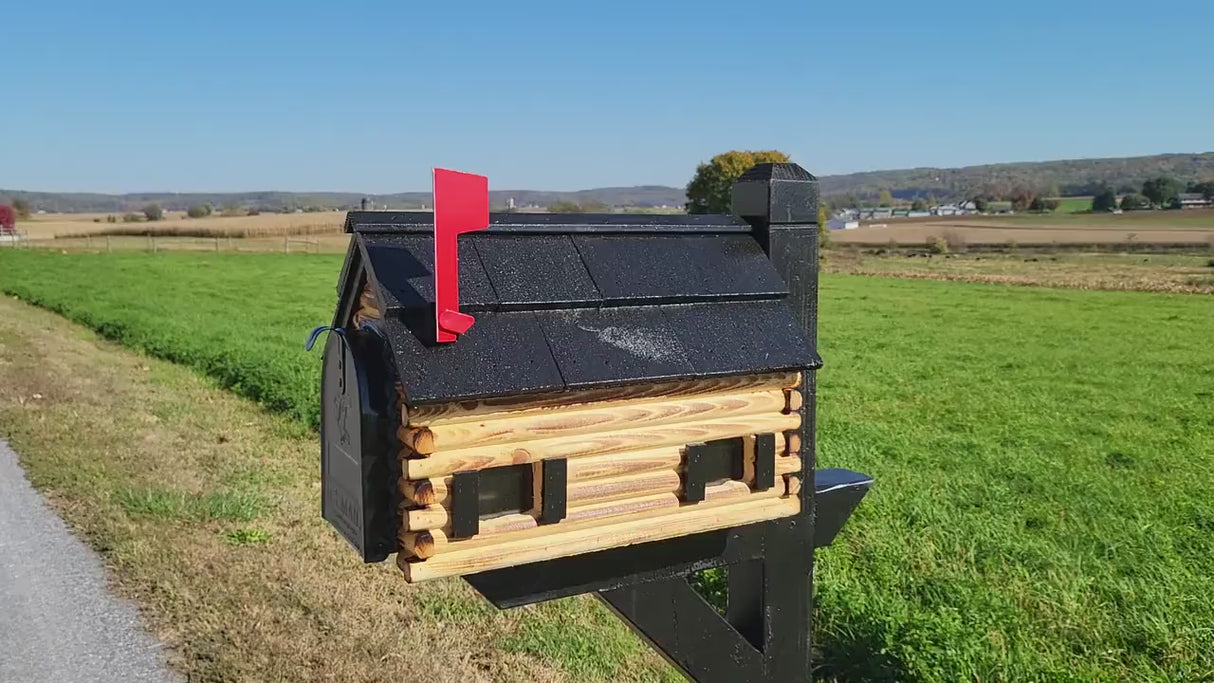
(1182, 274)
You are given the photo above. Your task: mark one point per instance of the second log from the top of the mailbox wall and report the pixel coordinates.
(589, 420)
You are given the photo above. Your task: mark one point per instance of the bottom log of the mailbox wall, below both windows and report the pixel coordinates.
(565, 540)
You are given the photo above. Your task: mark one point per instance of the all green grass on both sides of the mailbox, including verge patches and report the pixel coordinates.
(1043, 458)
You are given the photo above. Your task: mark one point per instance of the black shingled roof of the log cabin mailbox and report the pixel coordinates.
(566, 303)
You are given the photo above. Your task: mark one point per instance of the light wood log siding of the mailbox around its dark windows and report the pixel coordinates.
(625, 448)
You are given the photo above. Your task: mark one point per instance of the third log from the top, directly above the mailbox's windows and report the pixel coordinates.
(445, 463)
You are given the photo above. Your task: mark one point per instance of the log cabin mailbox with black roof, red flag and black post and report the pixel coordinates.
(558, 405)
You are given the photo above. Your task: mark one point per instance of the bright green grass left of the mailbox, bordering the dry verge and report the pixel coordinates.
(241, 320)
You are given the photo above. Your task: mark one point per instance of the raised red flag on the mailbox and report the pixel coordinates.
(462, 206)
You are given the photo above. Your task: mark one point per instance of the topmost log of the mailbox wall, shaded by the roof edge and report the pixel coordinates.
(537, 405)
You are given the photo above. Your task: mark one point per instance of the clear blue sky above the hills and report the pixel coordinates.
(223, 96)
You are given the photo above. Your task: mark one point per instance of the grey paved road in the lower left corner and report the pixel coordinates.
(58, 619)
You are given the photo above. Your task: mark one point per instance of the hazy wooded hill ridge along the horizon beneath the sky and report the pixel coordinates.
(1069, 179)
